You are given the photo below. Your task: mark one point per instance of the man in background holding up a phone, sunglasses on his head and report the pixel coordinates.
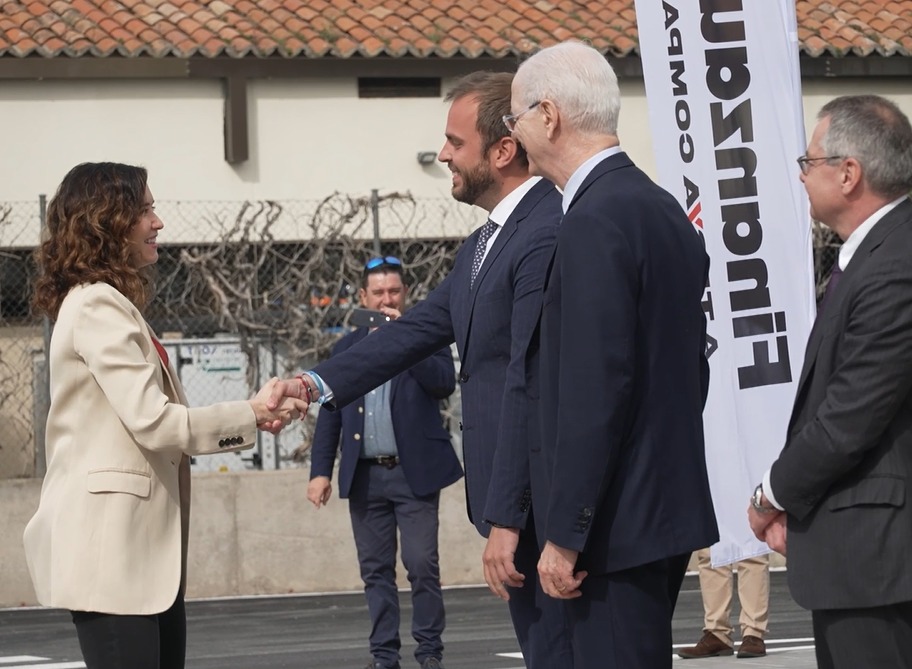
(396, 457)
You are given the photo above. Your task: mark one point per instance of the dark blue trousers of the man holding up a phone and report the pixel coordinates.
(380, 501)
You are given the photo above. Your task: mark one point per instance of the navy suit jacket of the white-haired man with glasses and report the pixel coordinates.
(621, 472)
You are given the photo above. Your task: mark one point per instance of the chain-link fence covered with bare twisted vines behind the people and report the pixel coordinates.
(245, 291)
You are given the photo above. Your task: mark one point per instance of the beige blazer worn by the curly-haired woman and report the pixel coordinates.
(110, 532)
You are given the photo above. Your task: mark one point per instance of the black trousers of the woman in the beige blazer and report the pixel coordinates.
(133, 642)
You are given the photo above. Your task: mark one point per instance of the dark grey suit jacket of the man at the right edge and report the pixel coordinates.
(844, 474)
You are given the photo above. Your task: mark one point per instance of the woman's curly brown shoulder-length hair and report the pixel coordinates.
(88, 221)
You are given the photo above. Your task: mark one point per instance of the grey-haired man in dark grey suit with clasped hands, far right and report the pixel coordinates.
(839, 494)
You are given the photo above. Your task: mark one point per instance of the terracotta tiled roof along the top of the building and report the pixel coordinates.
(395, 28)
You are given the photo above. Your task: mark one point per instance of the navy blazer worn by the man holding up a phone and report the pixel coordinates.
(426, 453)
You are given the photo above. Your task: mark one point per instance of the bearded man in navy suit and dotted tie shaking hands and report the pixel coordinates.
(488, 305)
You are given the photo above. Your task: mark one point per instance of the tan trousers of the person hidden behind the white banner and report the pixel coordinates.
(753, 593)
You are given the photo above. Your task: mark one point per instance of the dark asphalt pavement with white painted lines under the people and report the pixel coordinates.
(330, 632)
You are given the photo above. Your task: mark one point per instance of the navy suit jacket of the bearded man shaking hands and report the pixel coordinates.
(491, 325)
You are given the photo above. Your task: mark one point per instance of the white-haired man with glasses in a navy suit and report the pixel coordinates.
(621, 495)
